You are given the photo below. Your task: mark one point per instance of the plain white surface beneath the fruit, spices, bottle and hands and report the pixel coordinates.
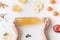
(35, 31)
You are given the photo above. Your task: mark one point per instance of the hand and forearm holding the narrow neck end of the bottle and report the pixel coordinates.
(46, 25)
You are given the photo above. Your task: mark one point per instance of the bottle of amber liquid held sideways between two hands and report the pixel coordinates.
(27, 21)
